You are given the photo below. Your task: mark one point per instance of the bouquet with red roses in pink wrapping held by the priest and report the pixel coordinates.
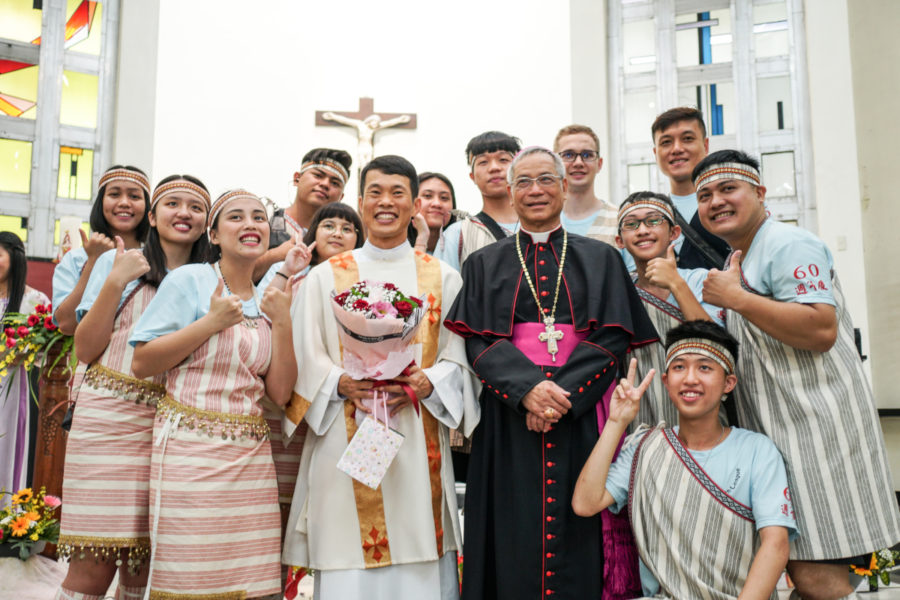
(376, 324)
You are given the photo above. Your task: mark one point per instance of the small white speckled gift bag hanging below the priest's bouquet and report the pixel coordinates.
(373, 447)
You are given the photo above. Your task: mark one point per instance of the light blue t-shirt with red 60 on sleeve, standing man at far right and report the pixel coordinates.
(789, 264)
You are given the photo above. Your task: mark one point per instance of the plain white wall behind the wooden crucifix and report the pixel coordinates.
(237, 85)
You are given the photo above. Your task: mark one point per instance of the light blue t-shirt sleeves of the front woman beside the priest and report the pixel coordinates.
(182, 298)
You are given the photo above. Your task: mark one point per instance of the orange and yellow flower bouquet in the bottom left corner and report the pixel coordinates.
(28, 522)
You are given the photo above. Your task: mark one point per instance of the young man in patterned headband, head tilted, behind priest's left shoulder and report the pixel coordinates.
(321, 179)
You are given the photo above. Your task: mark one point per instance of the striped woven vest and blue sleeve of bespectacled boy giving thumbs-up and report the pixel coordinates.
(665, 314)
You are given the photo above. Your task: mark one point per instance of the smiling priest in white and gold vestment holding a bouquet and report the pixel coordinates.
(401, 539)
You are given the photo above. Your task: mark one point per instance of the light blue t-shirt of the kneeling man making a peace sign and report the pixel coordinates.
(746, 465)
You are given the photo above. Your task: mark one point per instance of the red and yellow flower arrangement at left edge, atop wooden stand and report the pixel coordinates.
(28, 339)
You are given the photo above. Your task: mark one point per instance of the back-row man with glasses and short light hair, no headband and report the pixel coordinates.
(584, 213)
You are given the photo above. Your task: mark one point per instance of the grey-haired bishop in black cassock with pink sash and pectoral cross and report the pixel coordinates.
(545, 351)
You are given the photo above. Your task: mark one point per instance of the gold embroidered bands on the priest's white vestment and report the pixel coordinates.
(369, 502)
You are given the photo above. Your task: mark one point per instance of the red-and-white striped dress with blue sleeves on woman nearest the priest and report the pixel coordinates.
(214, 514)
